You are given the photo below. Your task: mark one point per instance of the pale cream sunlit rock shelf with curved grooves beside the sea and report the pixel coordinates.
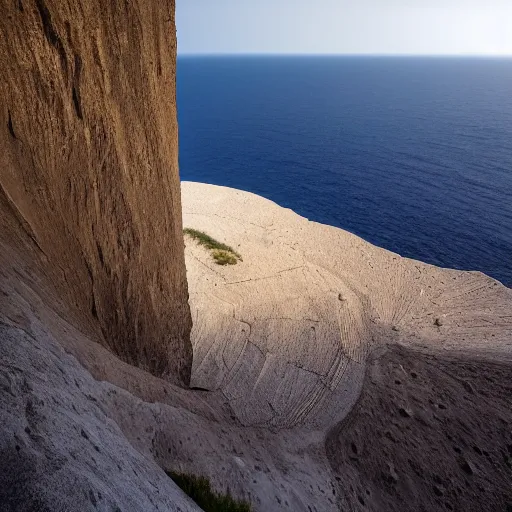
(286, 333)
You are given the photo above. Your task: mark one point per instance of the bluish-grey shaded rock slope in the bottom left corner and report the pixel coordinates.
(61, 448)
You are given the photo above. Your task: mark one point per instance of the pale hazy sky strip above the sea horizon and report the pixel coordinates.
(345, 26)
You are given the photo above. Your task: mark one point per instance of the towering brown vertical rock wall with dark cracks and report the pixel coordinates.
(89, 186)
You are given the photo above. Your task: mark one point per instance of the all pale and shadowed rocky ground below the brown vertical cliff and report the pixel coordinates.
(401, 401)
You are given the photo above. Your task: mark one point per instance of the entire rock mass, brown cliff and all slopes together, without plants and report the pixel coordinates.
(328, 374)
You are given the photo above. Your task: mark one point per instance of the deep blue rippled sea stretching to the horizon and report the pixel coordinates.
(412, 154)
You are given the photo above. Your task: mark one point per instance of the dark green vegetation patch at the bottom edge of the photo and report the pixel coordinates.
(199, 489)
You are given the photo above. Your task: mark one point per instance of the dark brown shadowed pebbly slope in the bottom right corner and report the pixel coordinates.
(426, 435)
